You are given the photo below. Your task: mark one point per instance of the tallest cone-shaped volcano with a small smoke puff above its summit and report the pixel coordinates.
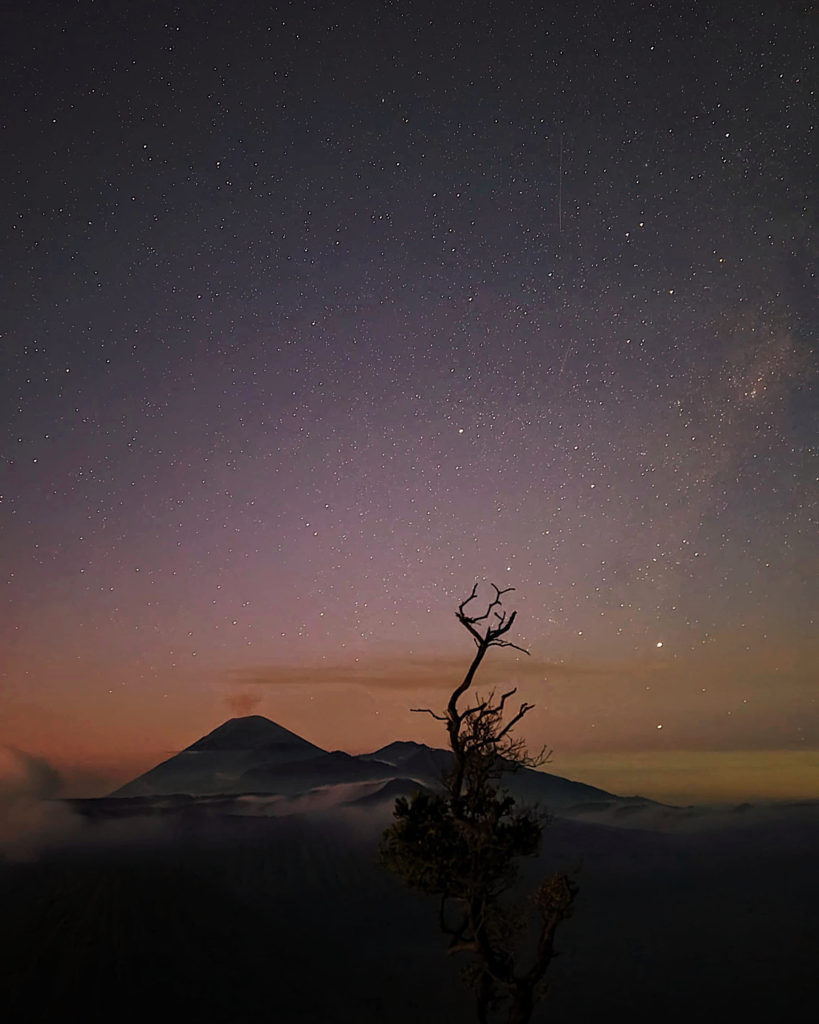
(217, 762)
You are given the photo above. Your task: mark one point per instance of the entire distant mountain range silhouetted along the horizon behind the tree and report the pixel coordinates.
(254, 757)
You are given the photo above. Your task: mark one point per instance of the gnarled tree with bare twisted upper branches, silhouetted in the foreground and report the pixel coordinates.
(463, 844)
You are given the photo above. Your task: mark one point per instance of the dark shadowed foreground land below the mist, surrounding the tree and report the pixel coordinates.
(223, 920)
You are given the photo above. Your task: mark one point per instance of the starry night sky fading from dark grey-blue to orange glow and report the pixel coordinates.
(315, 315)
